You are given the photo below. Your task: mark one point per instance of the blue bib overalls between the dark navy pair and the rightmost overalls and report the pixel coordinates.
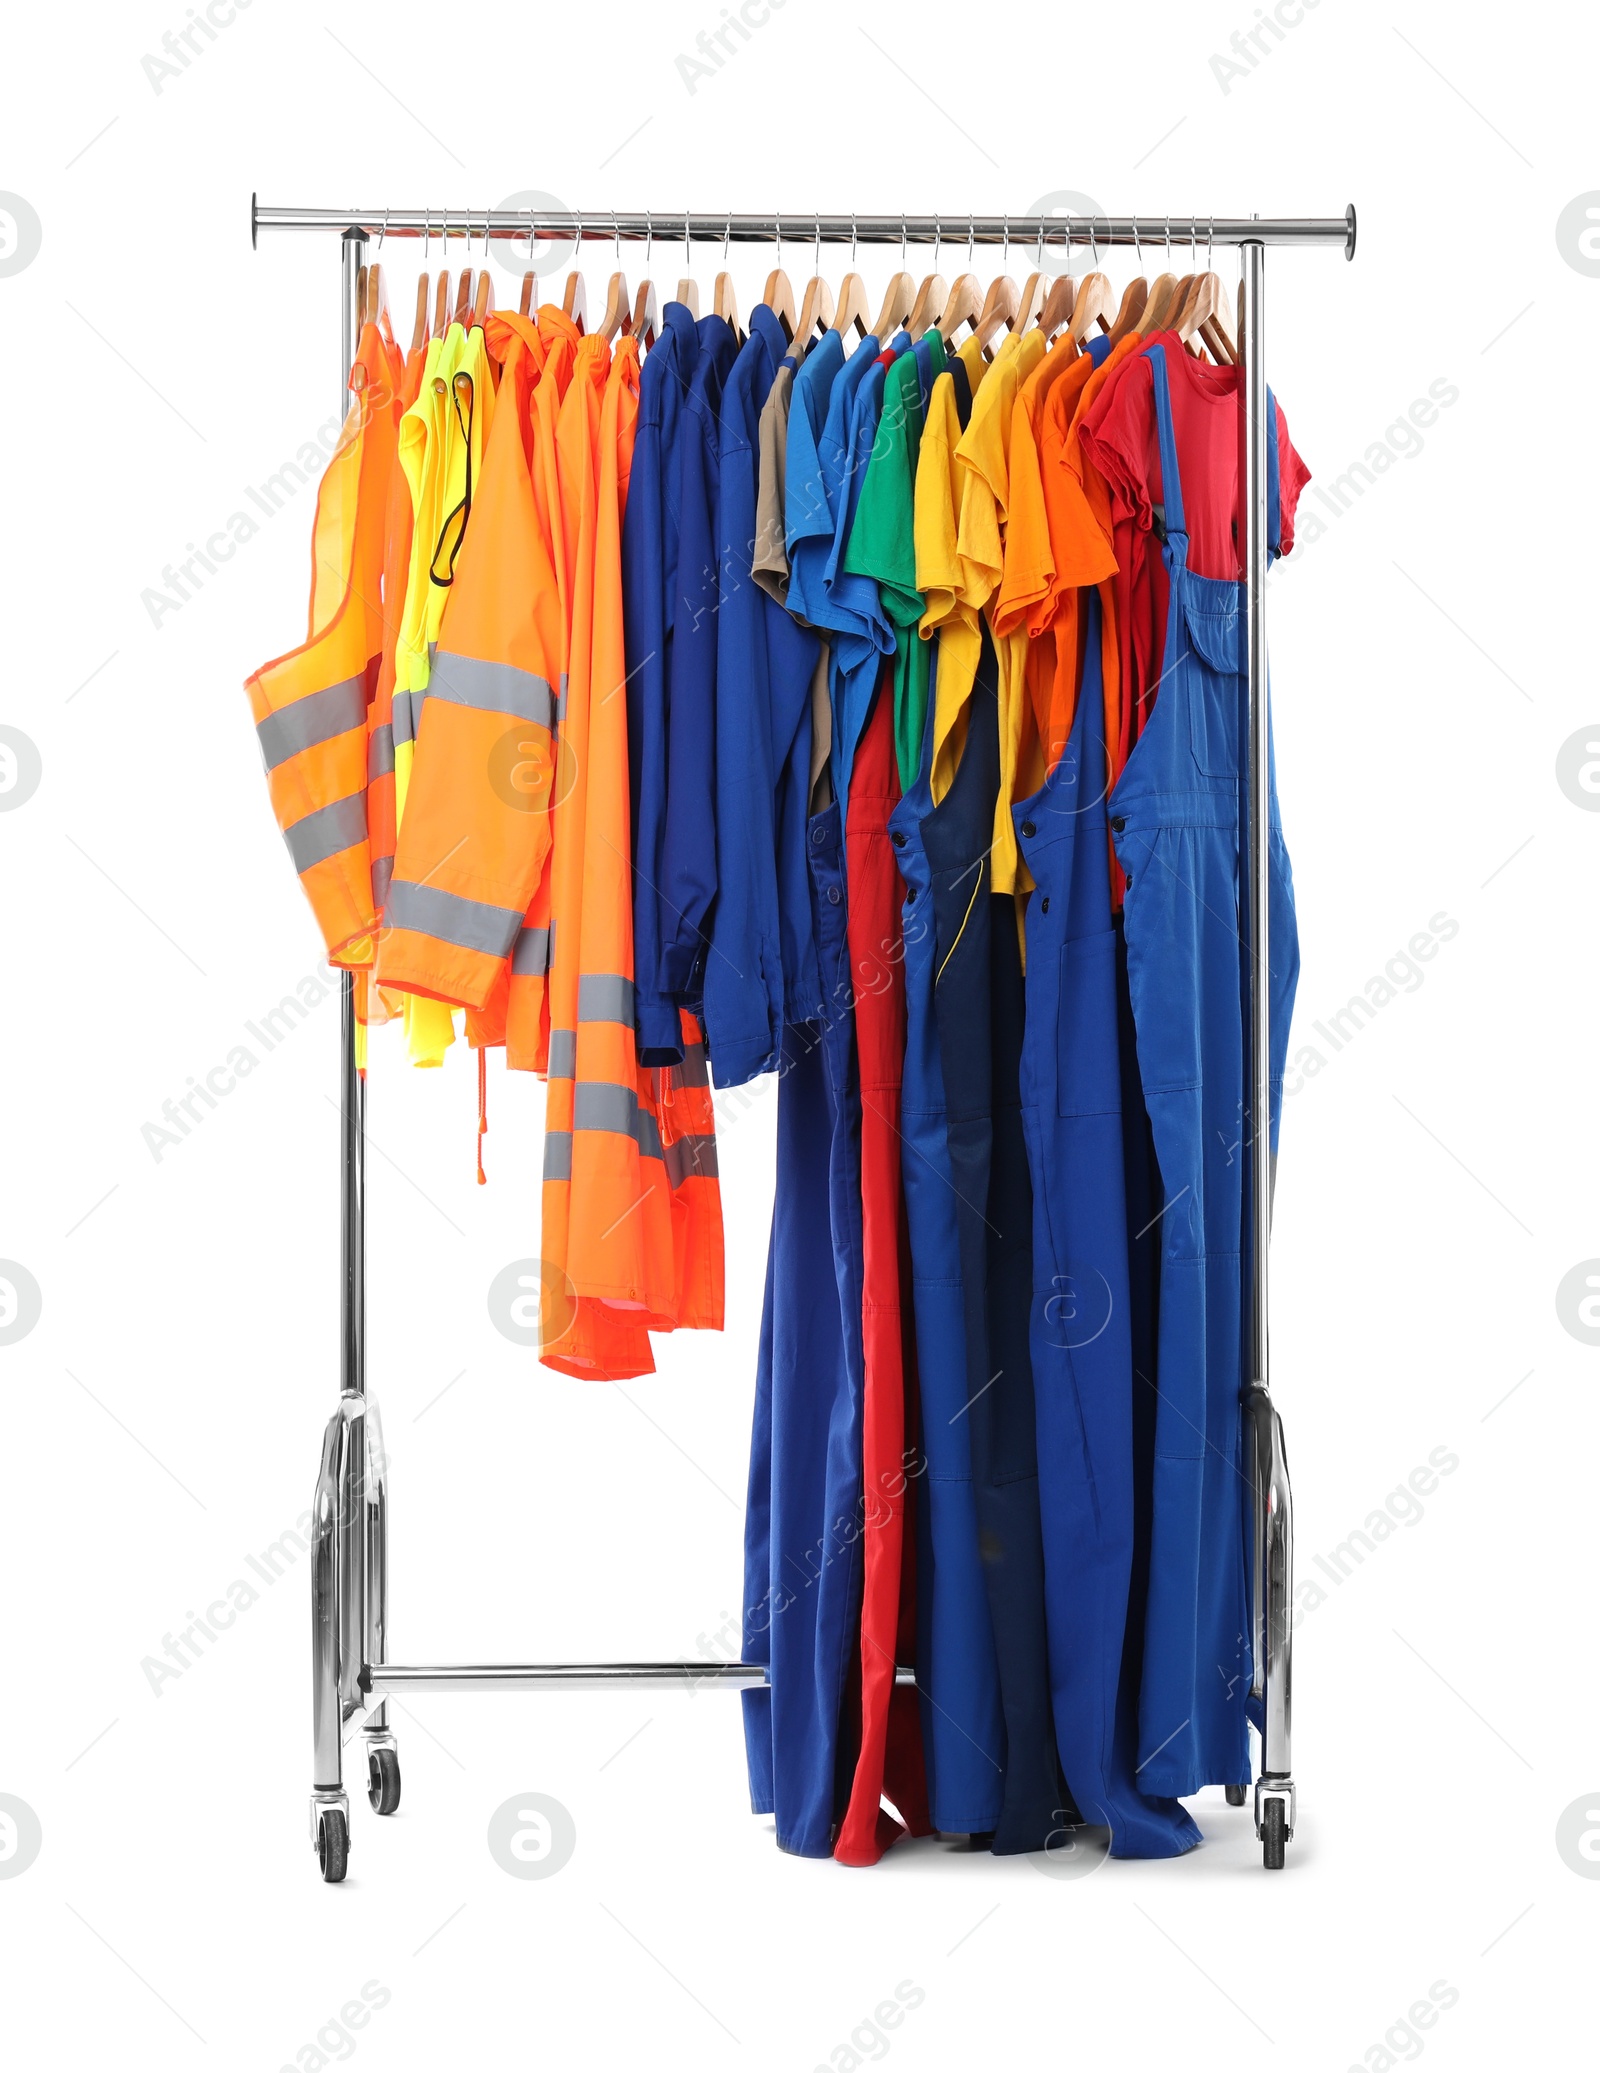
(1081, 1328)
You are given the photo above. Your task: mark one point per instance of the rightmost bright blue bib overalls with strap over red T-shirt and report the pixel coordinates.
(1176, 820)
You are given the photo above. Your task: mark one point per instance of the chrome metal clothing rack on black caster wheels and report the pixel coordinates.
(351, 1676)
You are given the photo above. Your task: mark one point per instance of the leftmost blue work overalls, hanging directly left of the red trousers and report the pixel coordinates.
(805, 1506)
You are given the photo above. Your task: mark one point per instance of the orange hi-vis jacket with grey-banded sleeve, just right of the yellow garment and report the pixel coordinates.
(476, 830)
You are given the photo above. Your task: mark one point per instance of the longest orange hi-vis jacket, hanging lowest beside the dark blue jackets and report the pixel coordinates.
(633, 1210)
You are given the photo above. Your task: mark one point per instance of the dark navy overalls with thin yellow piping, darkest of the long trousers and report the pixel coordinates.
(979, 1013)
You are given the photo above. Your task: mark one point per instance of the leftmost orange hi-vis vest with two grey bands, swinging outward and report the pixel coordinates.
(312, 704)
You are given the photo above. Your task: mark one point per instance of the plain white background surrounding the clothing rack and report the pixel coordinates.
(163, 1421)
